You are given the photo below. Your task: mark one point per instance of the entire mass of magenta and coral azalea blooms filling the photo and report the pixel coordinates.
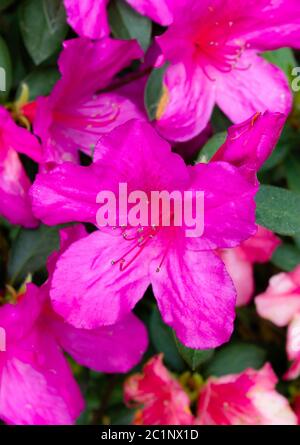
(212, 48)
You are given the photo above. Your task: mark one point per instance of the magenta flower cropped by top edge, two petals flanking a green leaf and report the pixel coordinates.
(89, 17)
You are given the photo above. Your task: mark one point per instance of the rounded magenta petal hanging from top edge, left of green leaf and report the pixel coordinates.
(88, 17)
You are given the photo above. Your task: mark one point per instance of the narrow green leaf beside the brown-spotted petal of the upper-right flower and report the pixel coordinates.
(154, 91)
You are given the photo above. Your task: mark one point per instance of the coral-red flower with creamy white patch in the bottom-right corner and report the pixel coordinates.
(249, 398)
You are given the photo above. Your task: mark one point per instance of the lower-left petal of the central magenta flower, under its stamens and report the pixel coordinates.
(88, 291)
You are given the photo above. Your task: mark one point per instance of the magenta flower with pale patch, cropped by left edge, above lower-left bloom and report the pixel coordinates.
(14, 183)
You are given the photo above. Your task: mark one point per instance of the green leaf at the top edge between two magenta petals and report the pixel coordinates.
(127, 24)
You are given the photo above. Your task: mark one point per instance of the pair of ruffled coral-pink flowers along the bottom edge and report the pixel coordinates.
(248, 398)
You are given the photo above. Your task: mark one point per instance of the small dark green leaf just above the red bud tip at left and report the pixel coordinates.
(40, 82)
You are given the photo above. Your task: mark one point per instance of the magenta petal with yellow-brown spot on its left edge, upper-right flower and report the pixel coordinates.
(186, 104)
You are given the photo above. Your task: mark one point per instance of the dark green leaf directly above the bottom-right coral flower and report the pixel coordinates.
(235, 358)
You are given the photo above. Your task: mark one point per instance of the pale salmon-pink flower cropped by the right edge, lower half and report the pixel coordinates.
(280, 303)
